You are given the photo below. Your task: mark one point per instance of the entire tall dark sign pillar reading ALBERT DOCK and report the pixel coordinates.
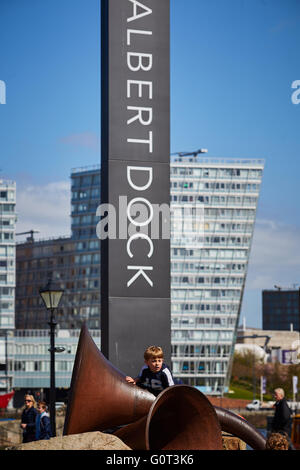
(135, 179)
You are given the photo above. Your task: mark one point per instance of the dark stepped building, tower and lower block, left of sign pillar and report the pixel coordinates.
(72, 262)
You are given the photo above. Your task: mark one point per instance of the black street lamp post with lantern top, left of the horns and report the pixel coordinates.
(51, 297)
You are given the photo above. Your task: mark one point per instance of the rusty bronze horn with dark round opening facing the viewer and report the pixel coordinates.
(181, 418)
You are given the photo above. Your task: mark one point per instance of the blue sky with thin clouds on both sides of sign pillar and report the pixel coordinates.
(232, 66)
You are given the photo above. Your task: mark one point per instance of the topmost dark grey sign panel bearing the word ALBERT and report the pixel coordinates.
(157, 46)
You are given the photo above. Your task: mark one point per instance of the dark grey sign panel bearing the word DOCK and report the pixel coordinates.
(121, 271)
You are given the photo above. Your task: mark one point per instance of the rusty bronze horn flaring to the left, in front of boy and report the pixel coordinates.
(100, 398)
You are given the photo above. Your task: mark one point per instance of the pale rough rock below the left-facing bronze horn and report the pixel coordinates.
(85, 441)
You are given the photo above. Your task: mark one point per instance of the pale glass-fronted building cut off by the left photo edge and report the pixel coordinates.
(7, 253)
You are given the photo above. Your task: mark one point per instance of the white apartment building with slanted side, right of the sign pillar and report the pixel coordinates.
(208, 271)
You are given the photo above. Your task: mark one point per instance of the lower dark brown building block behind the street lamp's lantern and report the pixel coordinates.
(37, 262)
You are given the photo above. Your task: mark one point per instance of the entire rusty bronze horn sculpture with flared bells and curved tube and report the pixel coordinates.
(100, 399)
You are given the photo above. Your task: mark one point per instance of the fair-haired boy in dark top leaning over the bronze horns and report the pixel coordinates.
(155, 376)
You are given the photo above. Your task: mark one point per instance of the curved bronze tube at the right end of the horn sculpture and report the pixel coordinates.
(241, 428)
